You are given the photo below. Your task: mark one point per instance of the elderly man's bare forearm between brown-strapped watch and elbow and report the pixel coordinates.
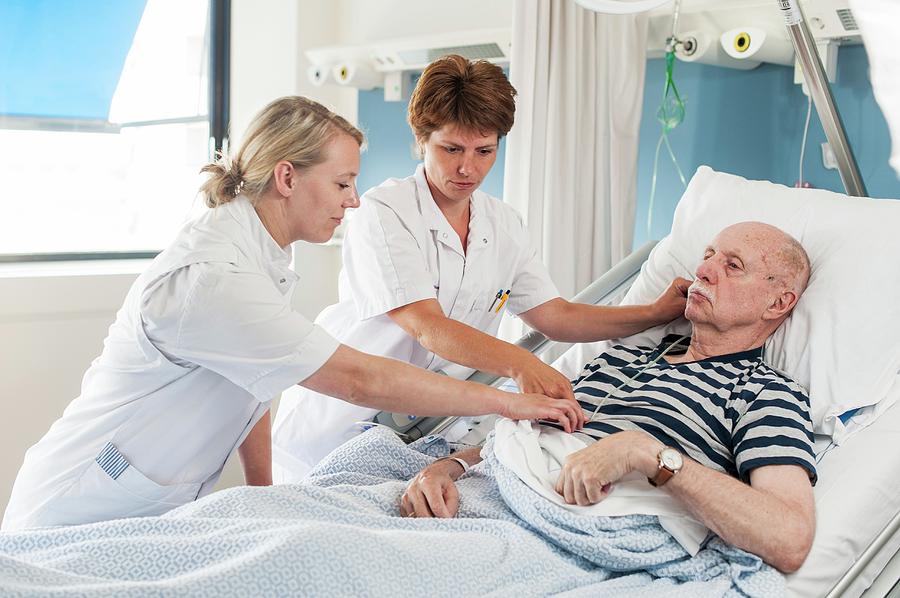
(777, 530)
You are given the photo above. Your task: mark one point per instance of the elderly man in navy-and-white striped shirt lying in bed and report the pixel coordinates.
(708, 422)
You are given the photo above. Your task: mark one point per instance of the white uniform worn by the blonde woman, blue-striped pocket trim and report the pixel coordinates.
(205, 339)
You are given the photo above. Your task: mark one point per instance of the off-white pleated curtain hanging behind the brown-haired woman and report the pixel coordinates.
(571, 158)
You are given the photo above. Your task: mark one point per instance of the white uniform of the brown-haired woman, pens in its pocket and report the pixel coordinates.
(399, 249)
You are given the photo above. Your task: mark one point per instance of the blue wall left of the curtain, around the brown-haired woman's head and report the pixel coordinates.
(390, 145)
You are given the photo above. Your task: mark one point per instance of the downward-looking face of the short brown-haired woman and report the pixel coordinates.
(456, 161)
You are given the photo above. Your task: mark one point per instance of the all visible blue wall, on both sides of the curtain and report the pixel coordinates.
(744, 122)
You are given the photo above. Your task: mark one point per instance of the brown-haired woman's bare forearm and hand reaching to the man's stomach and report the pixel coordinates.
(460, 343)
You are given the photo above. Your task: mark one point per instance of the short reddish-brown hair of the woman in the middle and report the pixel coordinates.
(469, 94)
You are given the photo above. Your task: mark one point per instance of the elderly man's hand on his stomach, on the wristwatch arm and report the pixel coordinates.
(588, 475)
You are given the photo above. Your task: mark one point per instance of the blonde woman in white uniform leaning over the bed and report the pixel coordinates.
(207, 338)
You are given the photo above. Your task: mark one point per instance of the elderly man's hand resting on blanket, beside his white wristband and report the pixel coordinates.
(433, 493)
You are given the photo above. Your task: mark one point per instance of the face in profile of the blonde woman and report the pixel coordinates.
(324, 191)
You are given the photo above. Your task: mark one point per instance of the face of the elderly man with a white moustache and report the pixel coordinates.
(734, 284)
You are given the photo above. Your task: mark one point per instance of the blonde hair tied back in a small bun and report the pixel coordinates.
(291, 128)
